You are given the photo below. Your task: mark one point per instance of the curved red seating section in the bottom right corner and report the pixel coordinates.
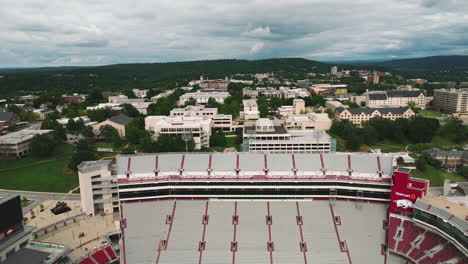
(431, 249)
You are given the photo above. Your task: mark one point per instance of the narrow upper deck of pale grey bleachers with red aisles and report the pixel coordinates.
(365, 165)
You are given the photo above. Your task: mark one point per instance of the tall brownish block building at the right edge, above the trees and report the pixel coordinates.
(451, 100)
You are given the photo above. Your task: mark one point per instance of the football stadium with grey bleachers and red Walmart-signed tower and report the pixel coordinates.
(283, 208)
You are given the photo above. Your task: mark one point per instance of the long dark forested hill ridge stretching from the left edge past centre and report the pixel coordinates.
(145, 75)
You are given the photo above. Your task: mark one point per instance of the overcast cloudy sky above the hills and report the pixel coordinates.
(97, 32)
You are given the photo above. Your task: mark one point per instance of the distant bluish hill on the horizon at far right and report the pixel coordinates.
(452, 63)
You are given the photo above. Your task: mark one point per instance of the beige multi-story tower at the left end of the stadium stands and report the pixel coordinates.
(98, 188)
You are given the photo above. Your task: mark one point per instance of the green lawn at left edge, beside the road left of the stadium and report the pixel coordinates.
(51, 174)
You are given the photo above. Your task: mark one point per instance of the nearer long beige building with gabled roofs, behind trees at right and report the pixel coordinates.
(360, 115)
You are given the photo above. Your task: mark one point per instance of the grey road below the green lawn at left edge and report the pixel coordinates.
(39, 197)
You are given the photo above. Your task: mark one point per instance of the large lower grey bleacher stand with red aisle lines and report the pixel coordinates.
(265, 231)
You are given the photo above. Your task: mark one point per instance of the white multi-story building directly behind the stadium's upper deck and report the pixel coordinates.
(269, 136)
